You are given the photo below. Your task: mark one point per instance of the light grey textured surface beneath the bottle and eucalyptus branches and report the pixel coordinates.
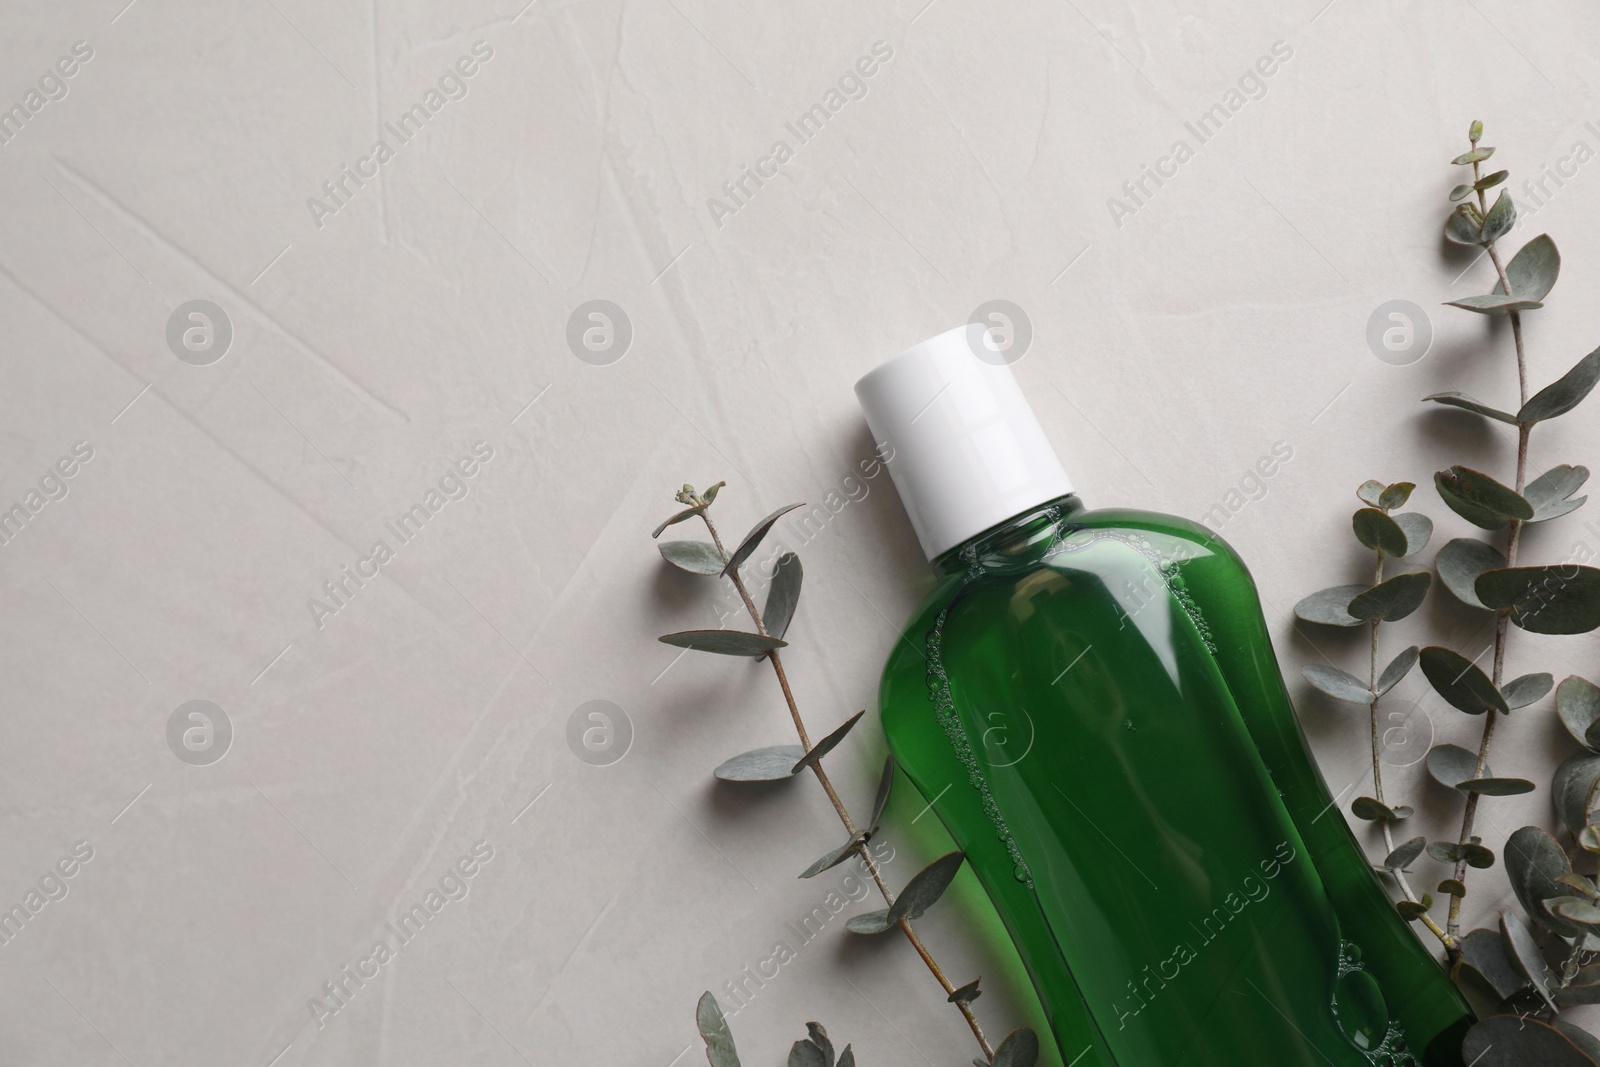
(1174, 348)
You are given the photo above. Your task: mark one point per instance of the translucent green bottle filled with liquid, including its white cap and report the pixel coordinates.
(1092, 705)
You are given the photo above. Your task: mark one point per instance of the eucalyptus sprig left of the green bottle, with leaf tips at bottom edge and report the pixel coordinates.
(775, 764)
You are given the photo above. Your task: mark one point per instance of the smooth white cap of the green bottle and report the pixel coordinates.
(967, 452)
